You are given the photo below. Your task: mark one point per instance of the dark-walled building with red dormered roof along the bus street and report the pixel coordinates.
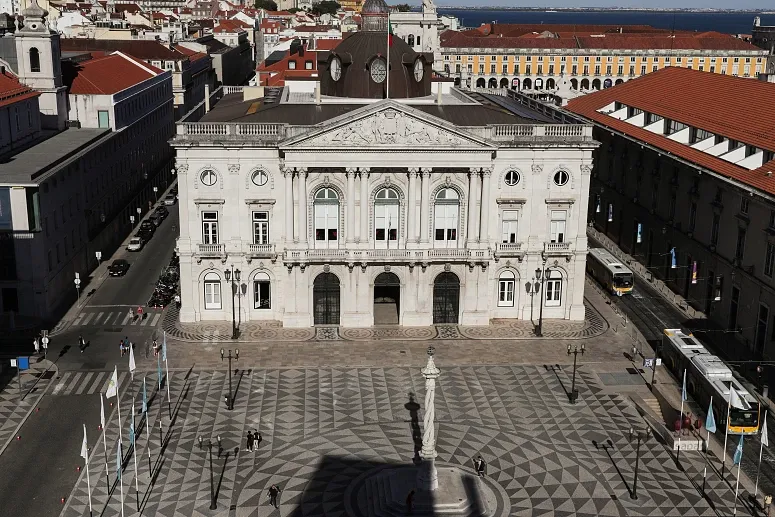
(684, 183)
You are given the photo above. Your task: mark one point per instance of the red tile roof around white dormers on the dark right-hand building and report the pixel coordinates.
(737, 108)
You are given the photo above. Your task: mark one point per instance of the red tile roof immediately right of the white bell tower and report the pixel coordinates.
(108, 75)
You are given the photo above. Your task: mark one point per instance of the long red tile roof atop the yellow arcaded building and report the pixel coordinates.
(589, 36)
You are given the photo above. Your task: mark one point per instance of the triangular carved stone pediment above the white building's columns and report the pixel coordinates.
(387, 124)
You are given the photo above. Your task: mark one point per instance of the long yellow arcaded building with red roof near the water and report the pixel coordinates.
(582, 58)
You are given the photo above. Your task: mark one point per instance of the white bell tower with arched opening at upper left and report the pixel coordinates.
(40, 65)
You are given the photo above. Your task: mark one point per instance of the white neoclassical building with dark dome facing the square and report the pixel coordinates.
(426, 207)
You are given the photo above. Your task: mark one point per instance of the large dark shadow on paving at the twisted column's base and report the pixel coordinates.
(343, 484)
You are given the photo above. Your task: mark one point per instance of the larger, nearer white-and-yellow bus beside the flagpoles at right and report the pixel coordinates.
(707, 375)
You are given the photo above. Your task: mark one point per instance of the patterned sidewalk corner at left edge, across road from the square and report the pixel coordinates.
(15, 406)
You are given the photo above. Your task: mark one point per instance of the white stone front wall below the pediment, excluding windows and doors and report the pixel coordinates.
(354, 176)
